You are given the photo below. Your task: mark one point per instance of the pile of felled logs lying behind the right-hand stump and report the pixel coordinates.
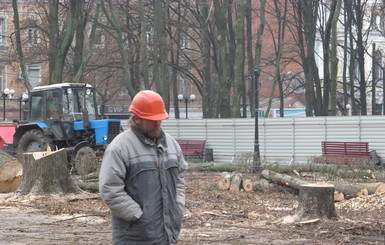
(271, 181)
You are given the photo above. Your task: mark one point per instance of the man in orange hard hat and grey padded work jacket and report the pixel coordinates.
(142, 177)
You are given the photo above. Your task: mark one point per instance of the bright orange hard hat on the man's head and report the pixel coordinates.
(148, 105)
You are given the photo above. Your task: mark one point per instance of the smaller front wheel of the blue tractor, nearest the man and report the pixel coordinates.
(85, 161)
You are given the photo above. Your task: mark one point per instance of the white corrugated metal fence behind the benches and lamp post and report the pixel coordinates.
(283, 140)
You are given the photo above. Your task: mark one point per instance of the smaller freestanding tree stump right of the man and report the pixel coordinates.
(316, 201)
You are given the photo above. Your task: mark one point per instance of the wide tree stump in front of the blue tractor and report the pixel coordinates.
(46, 173)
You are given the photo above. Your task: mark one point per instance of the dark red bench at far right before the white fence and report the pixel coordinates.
(343, 152)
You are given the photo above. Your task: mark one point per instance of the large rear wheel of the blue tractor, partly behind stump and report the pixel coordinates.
(32, 141)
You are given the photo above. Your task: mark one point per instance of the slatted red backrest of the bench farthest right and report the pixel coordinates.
(345, 148)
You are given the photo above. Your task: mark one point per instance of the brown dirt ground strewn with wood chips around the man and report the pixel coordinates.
(212, 216)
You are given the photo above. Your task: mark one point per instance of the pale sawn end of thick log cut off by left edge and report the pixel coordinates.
(11, 172)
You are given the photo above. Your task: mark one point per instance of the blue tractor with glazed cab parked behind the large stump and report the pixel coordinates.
(65, 116)
